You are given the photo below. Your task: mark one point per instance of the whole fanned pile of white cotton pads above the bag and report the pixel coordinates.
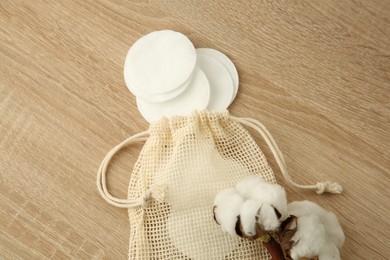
(170, 77)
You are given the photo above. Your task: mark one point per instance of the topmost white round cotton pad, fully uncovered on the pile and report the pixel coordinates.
(159, 62)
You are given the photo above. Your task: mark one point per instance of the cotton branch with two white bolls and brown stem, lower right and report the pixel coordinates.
(256, 210)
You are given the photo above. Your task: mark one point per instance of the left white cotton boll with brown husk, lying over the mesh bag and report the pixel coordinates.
(252, 208)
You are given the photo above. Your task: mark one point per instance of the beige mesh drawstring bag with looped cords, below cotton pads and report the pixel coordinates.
(184, 163)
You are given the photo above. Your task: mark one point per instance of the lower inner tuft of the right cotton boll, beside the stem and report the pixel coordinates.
(310, 237)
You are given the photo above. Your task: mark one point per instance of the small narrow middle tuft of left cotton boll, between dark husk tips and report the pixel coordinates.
(248, 212)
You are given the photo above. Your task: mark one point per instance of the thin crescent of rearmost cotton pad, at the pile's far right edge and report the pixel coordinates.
(225, 61)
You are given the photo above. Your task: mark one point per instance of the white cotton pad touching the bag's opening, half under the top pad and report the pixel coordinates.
(196, 96)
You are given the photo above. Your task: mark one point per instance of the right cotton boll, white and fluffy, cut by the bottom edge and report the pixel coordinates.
(318, 232)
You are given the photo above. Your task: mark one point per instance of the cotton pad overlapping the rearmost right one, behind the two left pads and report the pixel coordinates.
(221, 84)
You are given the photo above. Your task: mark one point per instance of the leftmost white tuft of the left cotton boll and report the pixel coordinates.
(227, 205)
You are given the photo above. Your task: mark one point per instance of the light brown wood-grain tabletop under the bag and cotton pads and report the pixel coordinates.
(316, 73)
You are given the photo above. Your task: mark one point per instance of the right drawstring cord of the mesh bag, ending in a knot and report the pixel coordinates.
(320, 187)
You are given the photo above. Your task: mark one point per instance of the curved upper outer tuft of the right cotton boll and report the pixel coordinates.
(328, 219)
